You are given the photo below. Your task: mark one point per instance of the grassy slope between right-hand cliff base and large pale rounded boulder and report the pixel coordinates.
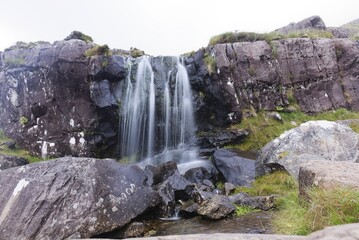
(264, 129)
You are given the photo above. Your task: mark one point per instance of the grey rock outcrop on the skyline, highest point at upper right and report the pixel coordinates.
(314, 22)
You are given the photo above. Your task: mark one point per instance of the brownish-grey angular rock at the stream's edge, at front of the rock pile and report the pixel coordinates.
(216, 208)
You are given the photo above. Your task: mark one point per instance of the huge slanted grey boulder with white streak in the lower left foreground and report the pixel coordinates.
(70, 198)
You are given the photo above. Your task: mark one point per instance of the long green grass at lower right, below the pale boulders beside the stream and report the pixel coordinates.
(294, 215)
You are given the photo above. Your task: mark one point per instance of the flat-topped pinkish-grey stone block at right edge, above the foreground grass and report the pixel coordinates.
(328, 175)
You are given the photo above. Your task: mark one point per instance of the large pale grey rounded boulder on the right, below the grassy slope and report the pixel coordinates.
(313, 140)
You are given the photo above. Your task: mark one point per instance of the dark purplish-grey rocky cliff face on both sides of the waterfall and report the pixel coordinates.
(58, 100)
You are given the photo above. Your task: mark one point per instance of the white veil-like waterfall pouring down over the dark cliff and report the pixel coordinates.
(156, 117)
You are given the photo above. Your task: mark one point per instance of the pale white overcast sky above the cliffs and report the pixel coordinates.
(159, 27)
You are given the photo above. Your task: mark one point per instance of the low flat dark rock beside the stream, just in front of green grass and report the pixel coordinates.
(260, 202)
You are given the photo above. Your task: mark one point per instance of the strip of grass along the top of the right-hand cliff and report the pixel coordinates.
(231, 37)
